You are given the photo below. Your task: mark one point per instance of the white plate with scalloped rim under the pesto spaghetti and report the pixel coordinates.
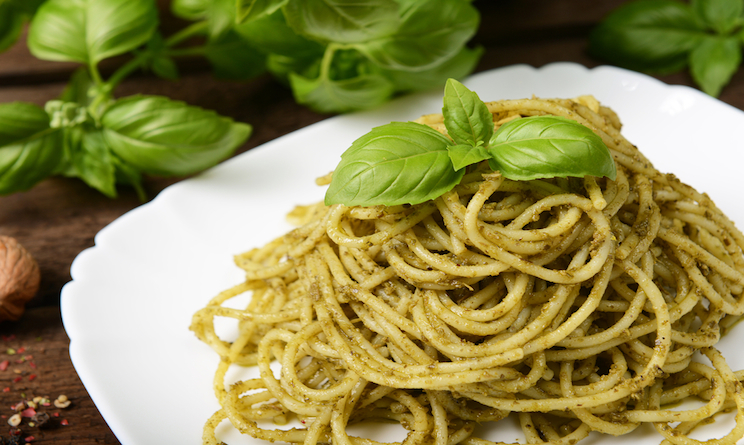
(128, 308)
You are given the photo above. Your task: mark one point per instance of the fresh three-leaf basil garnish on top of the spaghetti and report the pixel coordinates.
(409, 163)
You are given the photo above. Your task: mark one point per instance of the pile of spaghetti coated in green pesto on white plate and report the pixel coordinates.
(576, 305)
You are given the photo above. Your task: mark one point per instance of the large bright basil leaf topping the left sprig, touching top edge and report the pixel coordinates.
(90, 31)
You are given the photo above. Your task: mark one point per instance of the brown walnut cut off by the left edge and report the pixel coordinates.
(19, 278)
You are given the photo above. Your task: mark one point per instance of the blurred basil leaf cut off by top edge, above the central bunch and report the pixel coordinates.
(342, 21)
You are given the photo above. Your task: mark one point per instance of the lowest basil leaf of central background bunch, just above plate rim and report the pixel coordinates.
(326, 95)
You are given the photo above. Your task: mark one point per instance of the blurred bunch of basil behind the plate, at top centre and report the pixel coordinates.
(339, 55)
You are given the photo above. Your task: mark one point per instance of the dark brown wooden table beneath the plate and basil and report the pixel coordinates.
(59, 218)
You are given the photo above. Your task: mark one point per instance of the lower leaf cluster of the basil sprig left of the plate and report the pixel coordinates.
(136, 135)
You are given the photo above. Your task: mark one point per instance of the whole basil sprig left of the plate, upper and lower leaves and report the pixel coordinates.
(89, 134)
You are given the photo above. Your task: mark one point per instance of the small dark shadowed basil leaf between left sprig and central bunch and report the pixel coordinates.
(232, 58)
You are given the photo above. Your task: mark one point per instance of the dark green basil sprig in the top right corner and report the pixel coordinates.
(665, 36)
